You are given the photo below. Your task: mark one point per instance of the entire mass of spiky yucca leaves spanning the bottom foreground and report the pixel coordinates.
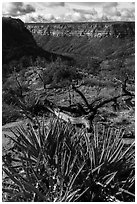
(64, 164)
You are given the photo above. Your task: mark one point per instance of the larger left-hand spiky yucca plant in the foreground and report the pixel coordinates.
(45, 158)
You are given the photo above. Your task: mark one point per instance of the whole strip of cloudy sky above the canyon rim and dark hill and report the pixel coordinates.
(44, 12)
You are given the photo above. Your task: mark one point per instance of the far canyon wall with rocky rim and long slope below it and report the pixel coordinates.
(87, 43)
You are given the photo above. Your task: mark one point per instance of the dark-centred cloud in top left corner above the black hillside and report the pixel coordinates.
(17, 9)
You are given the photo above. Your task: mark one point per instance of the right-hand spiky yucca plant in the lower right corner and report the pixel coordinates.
(114, 163)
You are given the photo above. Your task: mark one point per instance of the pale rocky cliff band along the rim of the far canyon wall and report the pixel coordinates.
(91, 30)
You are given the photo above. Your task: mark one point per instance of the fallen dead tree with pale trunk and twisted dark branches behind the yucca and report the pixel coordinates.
(78, 114)
